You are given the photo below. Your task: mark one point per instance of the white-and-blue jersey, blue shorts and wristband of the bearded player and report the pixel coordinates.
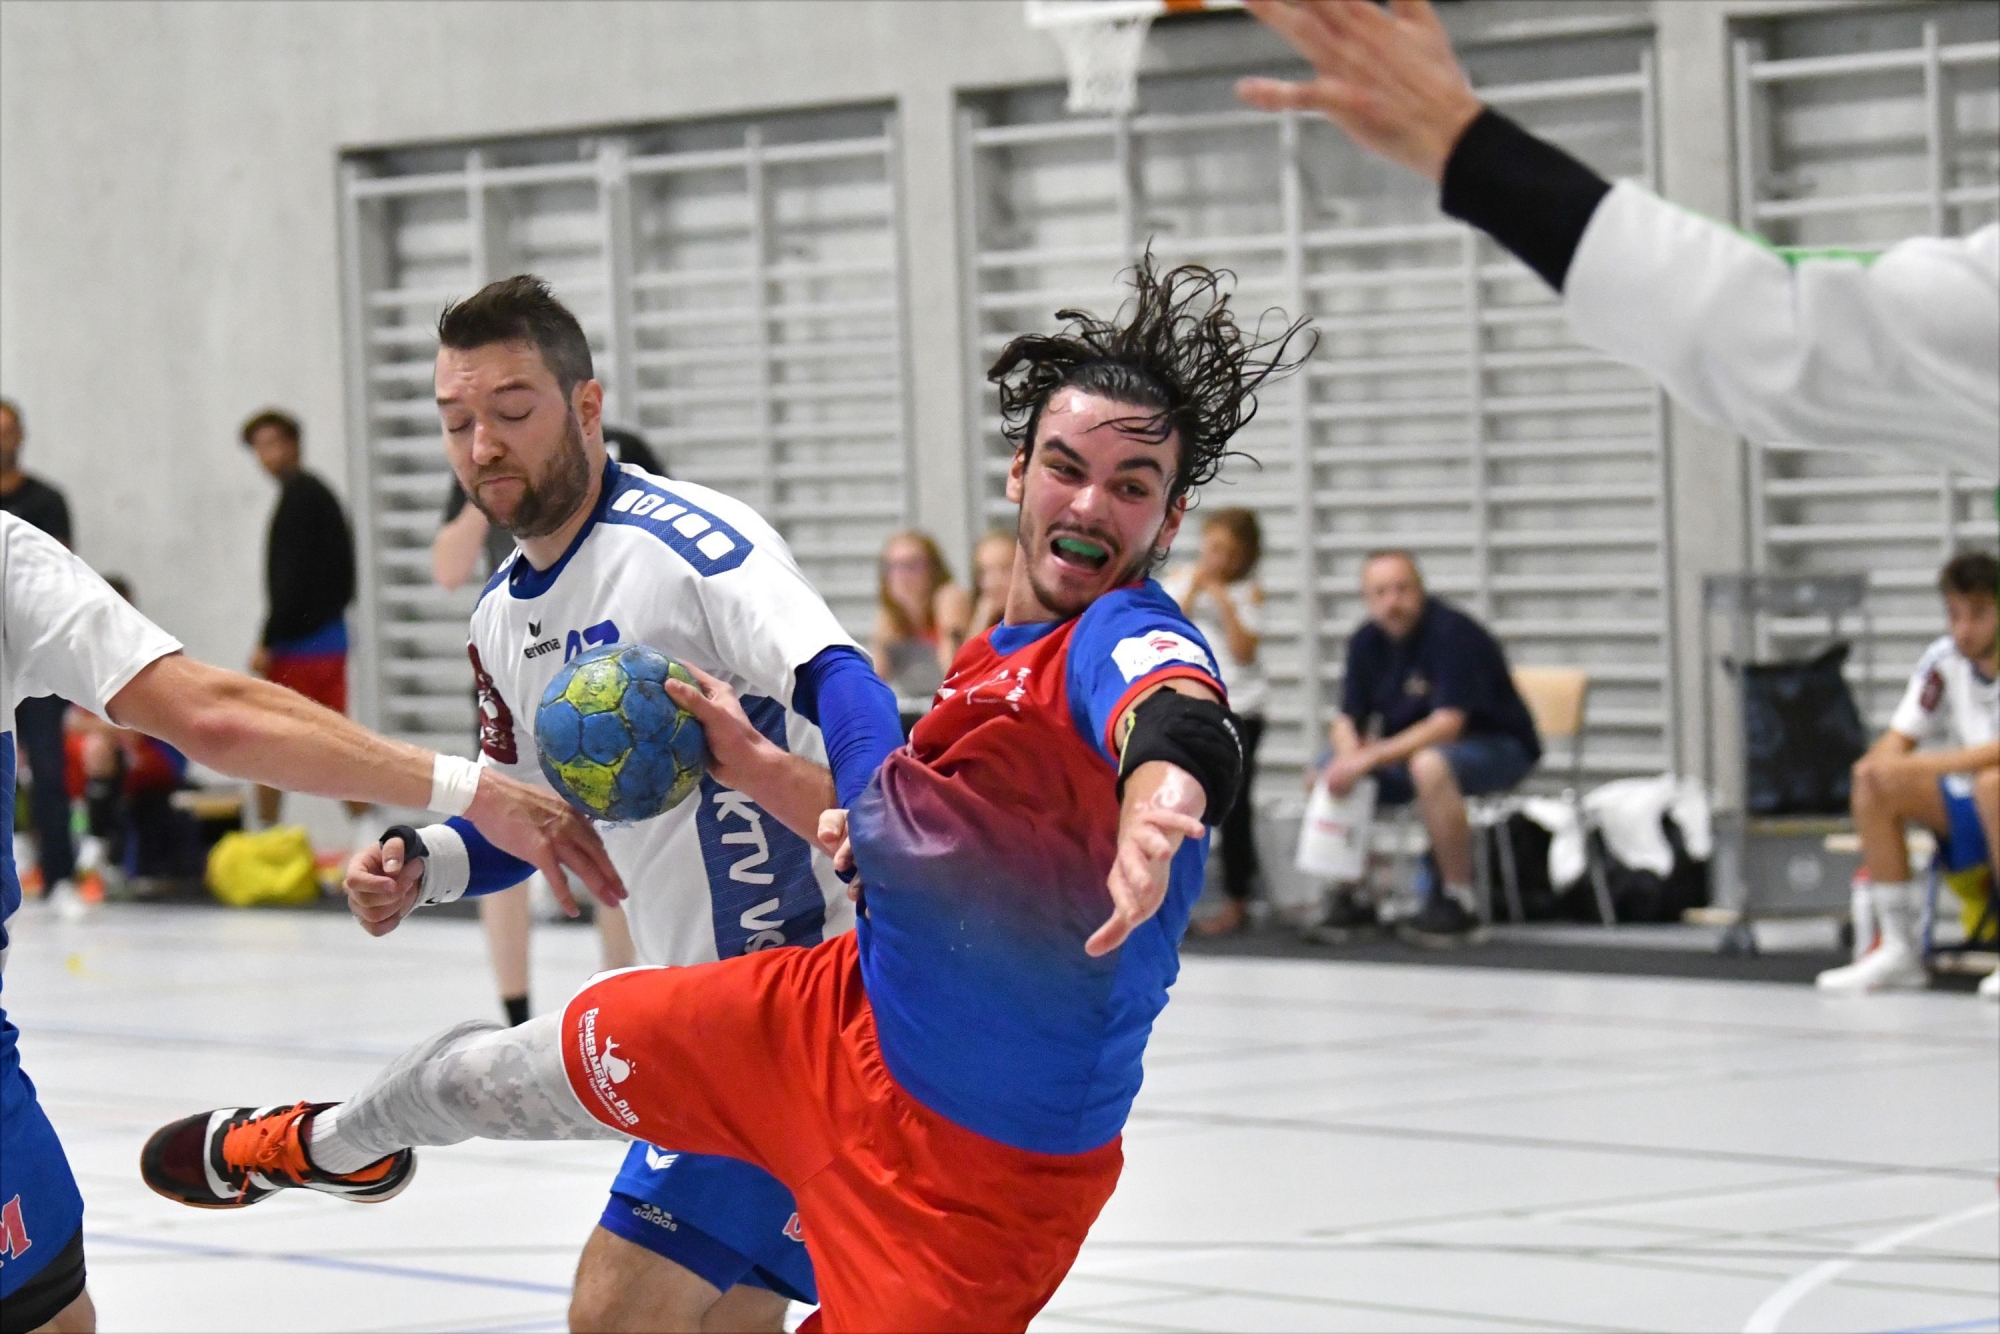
(707, 581)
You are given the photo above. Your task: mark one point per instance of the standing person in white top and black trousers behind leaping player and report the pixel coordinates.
(1227, 605)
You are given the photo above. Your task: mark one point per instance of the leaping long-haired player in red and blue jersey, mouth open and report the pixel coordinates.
(945, 1087)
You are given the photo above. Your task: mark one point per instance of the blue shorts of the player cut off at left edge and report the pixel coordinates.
(41, 1207)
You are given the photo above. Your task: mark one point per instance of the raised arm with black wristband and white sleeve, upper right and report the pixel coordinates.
(1785, 347)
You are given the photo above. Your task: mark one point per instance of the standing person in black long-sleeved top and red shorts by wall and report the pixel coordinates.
(309, 581)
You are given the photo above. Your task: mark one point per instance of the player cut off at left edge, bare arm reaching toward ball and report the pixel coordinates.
(67, 631)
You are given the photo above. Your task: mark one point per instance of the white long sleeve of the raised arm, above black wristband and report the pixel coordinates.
(1845, 351)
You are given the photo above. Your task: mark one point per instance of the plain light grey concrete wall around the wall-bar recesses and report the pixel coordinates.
(169, 253)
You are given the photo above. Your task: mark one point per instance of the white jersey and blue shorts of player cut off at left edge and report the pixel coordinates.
(63, 631)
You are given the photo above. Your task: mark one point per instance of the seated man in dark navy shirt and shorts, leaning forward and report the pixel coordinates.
(1433, 715)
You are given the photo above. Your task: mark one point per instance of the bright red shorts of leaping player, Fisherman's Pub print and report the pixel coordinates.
(913, 1223)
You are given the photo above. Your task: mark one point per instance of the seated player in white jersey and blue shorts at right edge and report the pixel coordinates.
(1939, 765)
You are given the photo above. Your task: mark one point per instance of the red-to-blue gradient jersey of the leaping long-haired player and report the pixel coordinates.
(985, 849)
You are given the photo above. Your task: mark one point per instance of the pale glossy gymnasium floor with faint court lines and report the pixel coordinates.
(1321, 1147)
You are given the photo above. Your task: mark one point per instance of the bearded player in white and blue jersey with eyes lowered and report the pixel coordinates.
(613, 555)
